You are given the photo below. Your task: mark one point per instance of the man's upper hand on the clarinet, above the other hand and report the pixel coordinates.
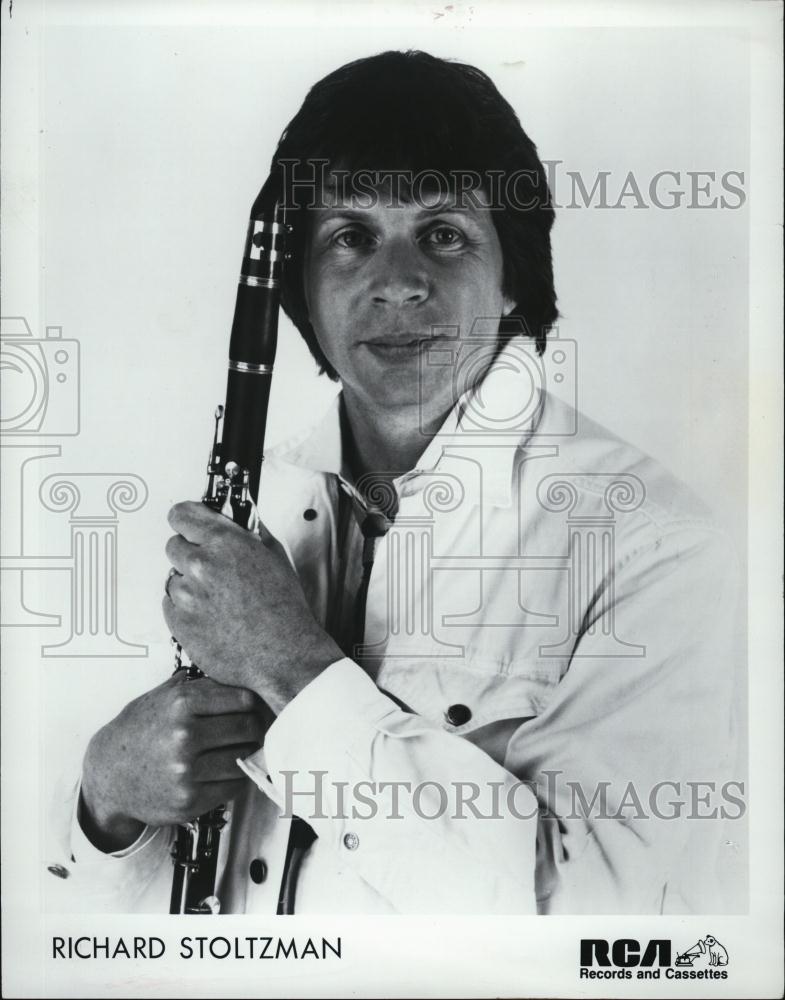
(238, 608)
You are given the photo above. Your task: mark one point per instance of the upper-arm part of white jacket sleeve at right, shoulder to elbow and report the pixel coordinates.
(632, 758)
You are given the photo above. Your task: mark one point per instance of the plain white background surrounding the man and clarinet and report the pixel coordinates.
(140, 140)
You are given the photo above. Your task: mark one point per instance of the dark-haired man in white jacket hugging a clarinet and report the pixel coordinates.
(476, 637)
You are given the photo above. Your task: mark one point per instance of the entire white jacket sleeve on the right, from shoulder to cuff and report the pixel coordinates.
(628, 760)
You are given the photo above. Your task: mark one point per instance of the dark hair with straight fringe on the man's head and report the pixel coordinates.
(412, 112)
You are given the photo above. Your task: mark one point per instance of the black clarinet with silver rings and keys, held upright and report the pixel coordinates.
(233, 473)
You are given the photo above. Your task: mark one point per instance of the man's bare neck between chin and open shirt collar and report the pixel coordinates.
(385, 443)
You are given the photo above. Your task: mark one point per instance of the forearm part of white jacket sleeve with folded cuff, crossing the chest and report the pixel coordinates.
(383, 788)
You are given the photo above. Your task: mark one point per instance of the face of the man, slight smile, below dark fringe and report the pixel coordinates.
(380, 280)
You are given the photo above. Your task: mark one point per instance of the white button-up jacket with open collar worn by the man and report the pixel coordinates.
(557, 612)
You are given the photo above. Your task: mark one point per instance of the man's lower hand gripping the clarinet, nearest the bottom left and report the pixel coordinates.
(169, 756)
